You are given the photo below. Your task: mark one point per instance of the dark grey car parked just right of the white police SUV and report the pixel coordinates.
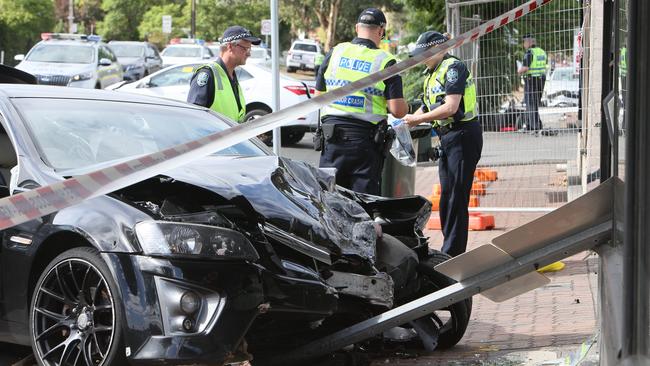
(138, 59)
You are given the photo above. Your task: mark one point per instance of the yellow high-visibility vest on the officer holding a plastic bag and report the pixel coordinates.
(434, 92)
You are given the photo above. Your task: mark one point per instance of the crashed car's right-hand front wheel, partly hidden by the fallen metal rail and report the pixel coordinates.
(454, 325)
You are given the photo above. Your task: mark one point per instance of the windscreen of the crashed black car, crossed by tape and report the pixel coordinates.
(73, 134)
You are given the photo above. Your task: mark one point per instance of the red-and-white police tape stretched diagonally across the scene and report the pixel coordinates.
(45, 200)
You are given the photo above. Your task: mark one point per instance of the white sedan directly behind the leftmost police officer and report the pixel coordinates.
(256, 82)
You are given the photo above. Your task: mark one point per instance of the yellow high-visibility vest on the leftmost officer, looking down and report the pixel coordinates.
(224, 97)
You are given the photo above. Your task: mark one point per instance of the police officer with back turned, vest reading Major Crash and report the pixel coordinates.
(354, 126)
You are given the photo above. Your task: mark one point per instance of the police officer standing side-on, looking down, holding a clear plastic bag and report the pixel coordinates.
(450, 105)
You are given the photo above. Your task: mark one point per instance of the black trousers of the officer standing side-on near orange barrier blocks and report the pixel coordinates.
(462, 148)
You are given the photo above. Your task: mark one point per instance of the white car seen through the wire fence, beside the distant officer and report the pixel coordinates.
(562, 88)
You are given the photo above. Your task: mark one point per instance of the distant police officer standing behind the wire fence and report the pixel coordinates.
(534, 70)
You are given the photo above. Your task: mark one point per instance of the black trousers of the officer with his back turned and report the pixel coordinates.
(357, 158)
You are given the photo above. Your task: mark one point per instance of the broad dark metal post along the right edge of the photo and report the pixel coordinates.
(637, 195)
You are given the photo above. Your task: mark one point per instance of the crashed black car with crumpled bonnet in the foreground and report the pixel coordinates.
(234, 255)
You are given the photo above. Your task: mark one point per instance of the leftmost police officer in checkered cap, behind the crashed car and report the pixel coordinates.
(215, 85)
